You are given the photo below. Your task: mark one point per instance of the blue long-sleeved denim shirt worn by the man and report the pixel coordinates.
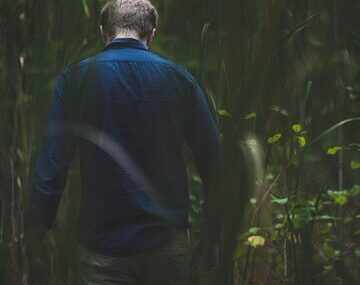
(128, 111)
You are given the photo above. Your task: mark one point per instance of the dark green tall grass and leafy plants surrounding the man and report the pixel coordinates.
(265, 66)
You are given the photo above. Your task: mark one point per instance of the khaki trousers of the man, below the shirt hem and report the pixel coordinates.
(168, 264)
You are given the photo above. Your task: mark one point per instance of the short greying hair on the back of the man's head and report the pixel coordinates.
(138, 16)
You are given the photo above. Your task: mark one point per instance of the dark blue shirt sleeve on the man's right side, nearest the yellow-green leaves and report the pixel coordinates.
(202, 135)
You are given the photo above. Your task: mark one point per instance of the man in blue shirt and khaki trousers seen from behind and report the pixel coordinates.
(128, 112)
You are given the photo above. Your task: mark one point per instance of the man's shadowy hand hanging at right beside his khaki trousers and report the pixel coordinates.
(205, 257)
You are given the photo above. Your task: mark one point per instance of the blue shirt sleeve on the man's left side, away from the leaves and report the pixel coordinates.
(53, 161)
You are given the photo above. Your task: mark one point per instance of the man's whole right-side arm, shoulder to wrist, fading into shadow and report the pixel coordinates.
(203, 137)
